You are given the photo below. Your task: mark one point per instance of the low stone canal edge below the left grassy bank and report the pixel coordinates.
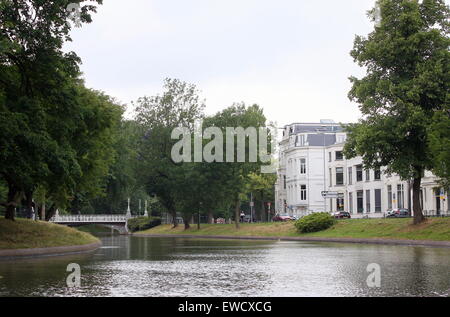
(63, 250)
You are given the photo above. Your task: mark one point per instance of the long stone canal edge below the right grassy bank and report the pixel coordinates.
(400, 242)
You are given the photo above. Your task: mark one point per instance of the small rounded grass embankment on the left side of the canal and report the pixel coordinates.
(26, 234)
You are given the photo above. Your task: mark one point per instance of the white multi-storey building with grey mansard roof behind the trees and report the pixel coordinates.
(311, 161)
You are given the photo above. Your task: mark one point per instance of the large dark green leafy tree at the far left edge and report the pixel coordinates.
(36, 79)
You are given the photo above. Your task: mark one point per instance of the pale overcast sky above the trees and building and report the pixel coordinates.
(289, 56)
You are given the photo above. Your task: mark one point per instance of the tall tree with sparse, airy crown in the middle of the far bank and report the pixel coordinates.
(158, 116)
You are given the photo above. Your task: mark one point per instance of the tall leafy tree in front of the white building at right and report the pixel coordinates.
(407, 82)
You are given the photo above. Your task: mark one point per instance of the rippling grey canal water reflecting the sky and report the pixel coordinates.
(138, 266)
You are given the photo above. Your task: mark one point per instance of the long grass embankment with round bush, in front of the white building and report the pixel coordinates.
(437, 229)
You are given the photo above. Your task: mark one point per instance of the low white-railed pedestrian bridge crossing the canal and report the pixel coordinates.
(116, 222)
